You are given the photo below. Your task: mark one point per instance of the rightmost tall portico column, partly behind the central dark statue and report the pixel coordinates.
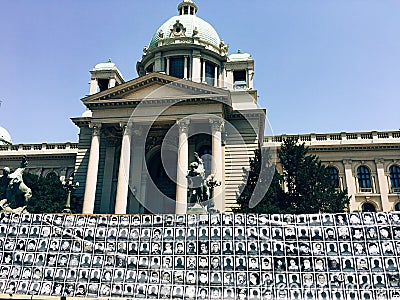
(217, 161)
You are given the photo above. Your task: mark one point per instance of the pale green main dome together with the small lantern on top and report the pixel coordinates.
(186, 28)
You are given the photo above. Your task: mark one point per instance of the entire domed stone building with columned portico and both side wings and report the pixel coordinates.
(138, 137)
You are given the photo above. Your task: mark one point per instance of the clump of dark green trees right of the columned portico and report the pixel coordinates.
(309, 186)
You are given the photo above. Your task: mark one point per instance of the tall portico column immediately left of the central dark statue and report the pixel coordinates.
(183, 166)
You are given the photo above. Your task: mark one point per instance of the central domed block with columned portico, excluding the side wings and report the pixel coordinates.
(138, 137)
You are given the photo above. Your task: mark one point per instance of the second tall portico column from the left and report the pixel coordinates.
(121, 200)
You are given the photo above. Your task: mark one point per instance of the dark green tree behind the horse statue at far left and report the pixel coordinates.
(48, 195)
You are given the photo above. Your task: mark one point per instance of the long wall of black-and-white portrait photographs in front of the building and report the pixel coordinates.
(341, 256)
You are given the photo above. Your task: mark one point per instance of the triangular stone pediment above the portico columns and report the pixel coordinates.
(155, 87)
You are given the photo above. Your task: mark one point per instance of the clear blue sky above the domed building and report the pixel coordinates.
(321, 66)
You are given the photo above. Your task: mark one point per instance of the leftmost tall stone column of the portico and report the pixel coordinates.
(93, 168)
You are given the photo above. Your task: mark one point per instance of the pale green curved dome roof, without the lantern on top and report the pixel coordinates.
(192, 25)
